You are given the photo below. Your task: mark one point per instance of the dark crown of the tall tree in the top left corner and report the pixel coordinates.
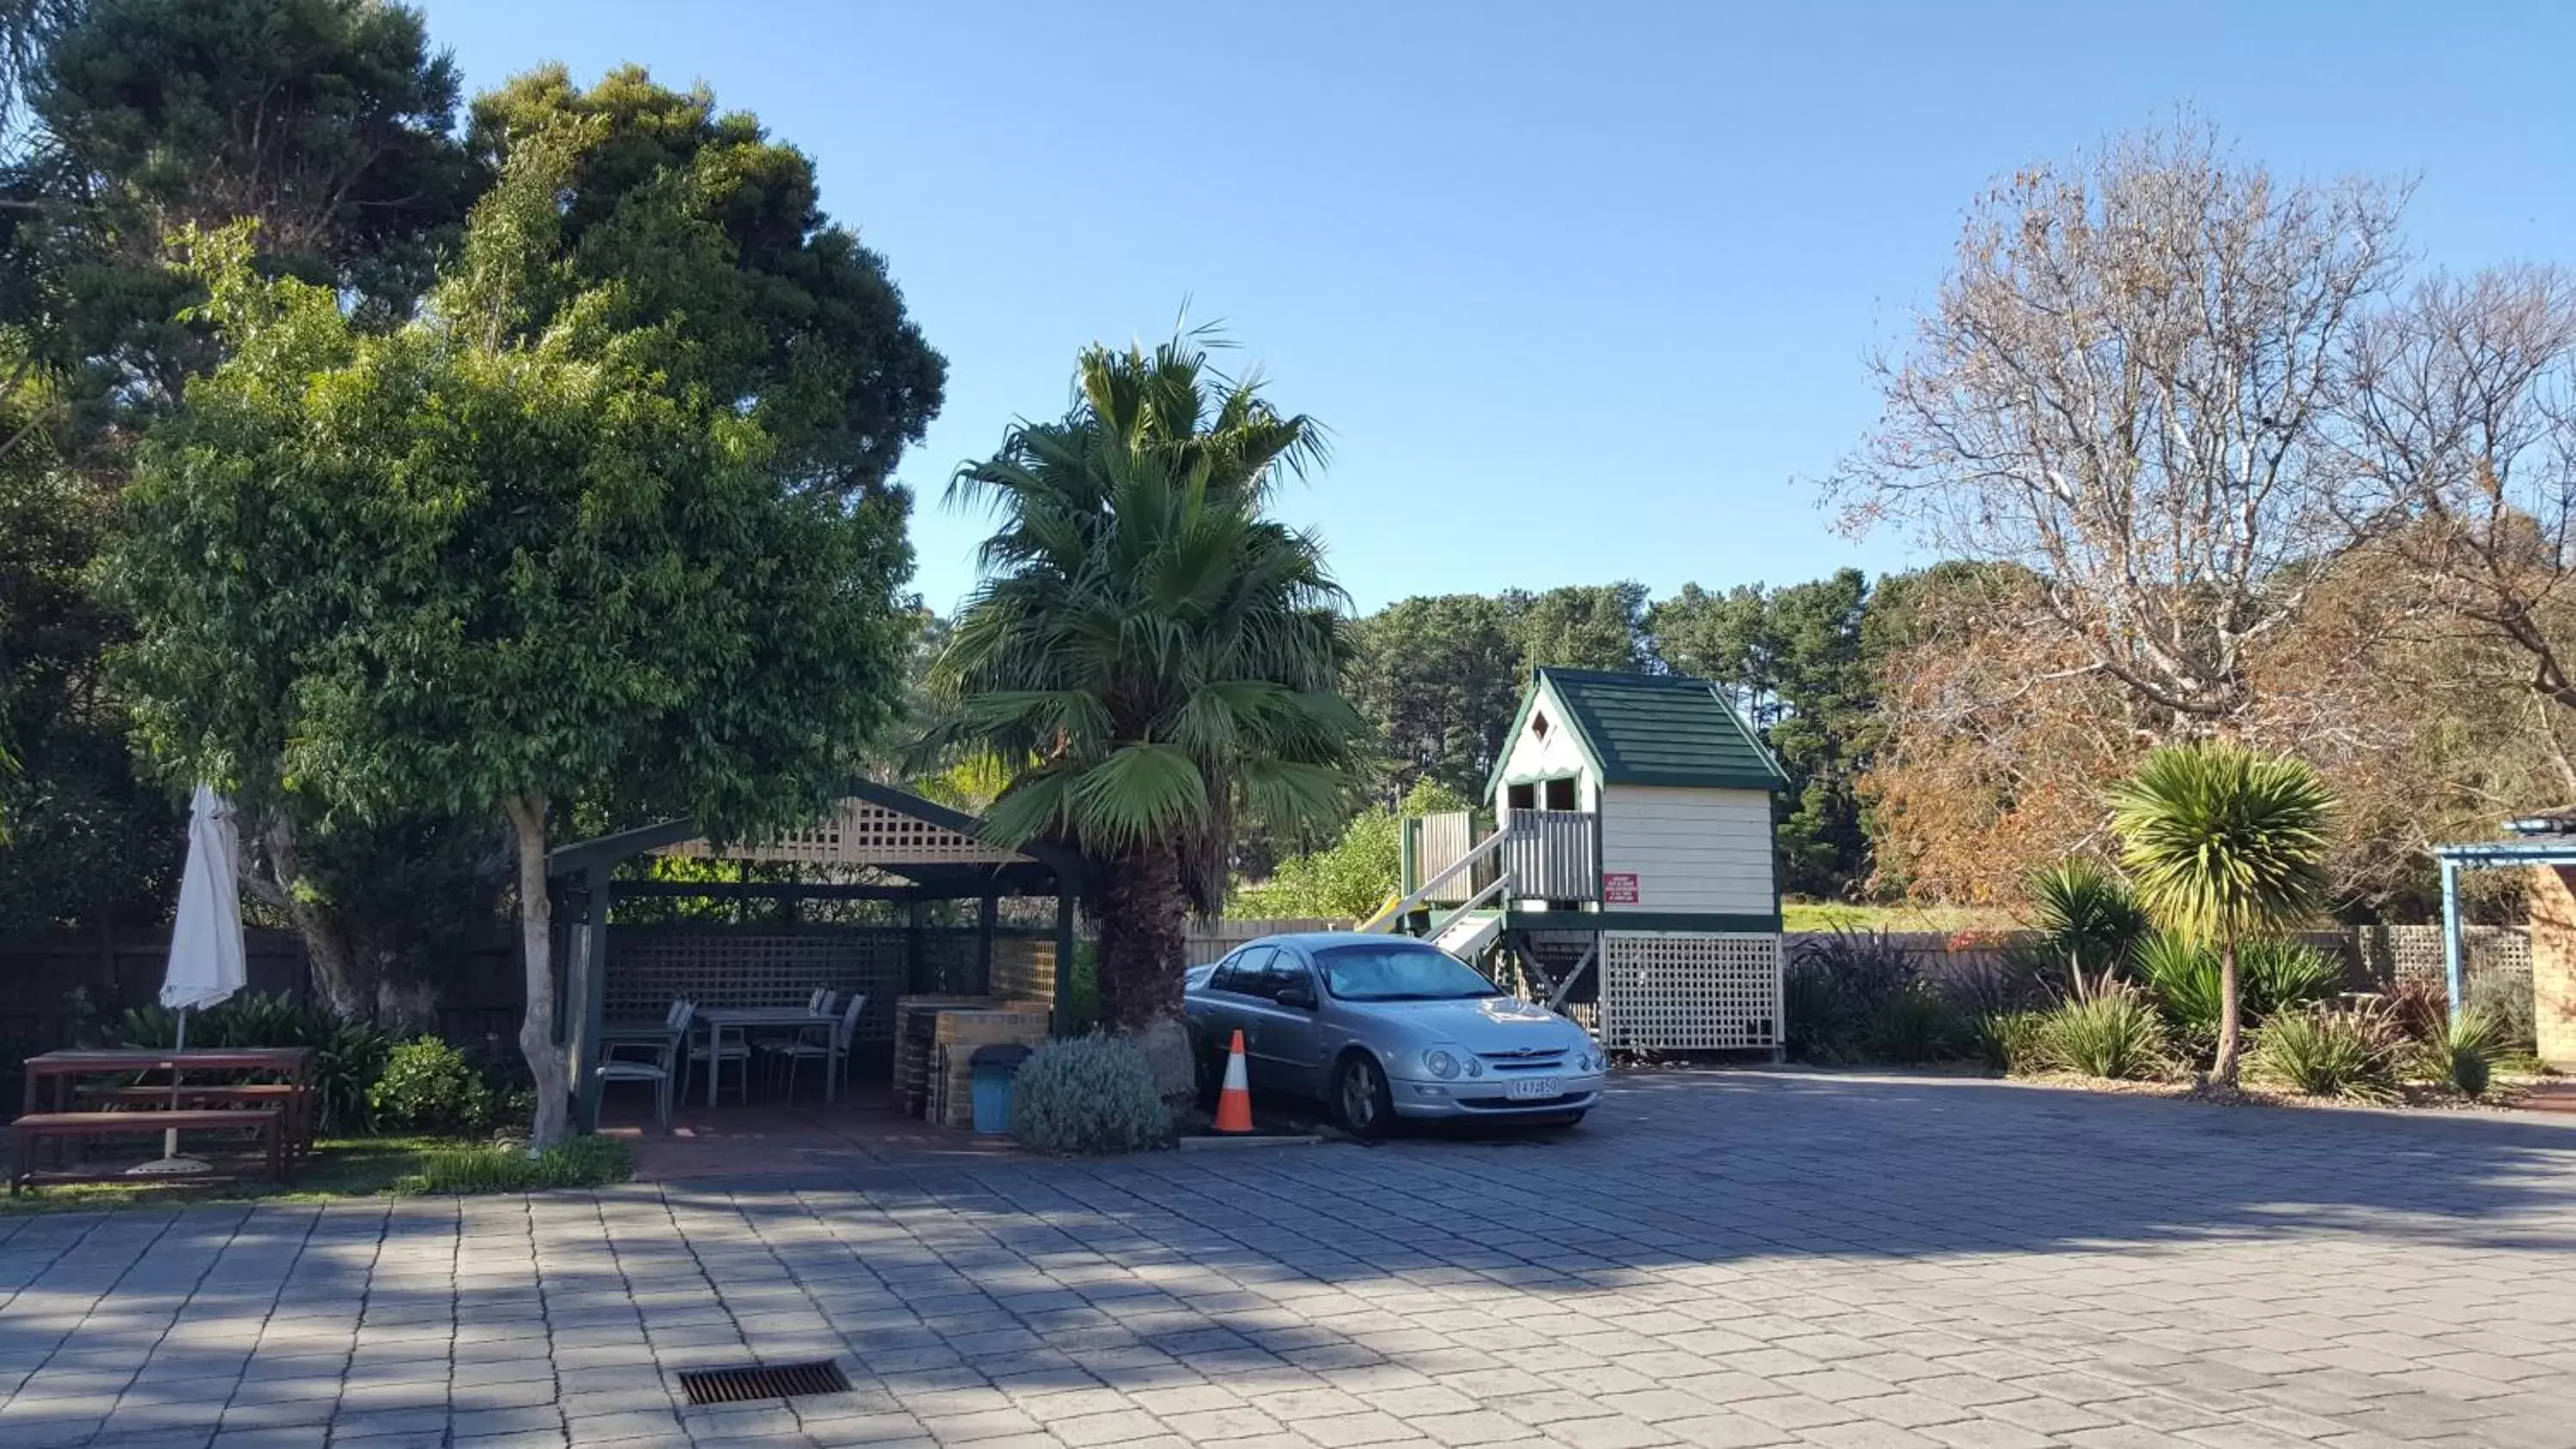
(323, 120)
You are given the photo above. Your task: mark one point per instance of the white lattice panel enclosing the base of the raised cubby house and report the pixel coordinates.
(1691, 992)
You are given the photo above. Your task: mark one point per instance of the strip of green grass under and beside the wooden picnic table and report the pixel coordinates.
(357, 1167)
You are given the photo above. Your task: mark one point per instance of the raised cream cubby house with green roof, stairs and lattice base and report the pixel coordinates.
(1629, 871)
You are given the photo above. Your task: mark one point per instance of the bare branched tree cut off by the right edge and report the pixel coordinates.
(2464, 447)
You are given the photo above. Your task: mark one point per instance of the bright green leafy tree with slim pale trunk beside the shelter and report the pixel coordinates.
(498, 562)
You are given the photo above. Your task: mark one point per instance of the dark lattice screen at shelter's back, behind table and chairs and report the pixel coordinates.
(648, 966)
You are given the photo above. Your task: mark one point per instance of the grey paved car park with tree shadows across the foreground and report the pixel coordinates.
(1714, 1260)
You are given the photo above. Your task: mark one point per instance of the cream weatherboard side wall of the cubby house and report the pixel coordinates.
(1691, 851)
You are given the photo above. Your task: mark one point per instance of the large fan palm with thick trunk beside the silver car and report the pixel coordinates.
(1160, 652)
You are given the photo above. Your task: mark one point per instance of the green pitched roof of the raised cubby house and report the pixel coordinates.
(1658, 730)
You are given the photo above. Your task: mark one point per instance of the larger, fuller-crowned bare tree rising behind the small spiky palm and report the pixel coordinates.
(2129, 387)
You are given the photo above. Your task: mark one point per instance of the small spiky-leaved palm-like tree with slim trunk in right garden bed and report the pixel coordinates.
(2224, 843)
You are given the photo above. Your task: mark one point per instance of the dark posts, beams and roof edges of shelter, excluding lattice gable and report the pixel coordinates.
(1034, 869)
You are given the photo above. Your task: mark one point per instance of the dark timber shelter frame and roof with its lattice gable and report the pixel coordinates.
(913, 853)
